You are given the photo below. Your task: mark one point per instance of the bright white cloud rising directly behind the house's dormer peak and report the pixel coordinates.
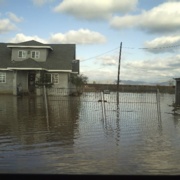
(21, 37)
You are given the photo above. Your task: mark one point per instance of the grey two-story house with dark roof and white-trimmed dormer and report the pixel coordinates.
(22, 63)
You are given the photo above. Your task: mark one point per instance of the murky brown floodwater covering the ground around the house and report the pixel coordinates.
(78, 138)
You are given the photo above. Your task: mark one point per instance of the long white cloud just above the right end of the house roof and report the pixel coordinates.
(81, 36)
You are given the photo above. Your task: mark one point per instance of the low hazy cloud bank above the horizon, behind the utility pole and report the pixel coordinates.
(153, 70)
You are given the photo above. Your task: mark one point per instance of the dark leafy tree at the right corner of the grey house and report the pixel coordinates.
(79, 81)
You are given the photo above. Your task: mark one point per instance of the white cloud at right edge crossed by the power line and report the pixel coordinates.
(163, 44)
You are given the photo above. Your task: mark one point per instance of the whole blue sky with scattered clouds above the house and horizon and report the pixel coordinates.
(148, 30)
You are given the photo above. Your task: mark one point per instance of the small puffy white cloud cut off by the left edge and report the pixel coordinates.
(6, 25)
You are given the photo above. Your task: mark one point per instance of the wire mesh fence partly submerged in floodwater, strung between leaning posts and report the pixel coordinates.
(103, 105)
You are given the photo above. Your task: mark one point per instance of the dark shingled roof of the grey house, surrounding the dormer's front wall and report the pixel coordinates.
(60, 58)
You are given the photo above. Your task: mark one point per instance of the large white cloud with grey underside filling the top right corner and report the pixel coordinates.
(161, 19)
